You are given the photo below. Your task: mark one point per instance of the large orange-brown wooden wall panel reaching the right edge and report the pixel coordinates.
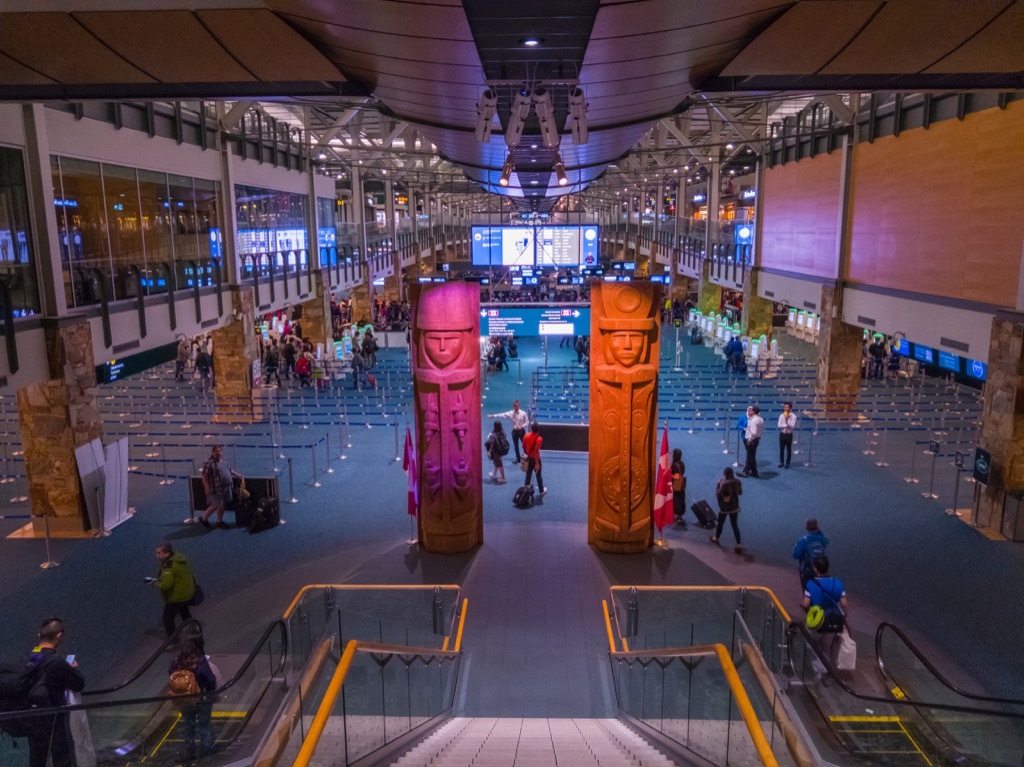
(942, 211)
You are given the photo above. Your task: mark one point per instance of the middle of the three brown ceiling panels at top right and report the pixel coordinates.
(909, 36)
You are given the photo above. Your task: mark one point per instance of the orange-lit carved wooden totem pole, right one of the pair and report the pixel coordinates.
(625, 345)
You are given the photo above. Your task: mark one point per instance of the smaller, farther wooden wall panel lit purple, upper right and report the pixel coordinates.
(801, 217)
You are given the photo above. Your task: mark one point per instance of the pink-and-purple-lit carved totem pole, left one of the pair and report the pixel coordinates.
(447, 386)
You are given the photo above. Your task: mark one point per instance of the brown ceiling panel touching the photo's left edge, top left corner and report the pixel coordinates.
(45, 41)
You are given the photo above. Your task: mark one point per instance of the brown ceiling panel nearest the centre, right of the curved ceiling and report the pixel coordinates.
(824, 28)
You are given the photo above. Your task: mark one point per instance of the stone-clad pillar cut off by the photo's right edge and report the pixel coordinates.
(1003, 430)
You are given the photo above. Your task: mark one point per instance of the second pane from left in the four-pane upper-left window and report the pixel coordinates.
(121, 190)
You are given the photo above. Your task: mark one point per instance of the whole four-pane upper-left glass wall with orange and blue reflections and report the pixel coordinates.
(112, 220)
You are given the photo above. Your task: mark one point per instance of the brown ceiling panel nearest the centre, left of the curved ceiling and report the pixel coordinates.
(269, 48)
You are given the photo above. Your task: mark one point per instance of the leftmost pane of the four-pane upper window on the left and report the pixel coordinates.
(82, 223)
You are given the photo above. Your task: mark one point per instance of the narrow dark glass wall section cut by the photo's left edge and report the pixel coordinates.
(18, 263)
